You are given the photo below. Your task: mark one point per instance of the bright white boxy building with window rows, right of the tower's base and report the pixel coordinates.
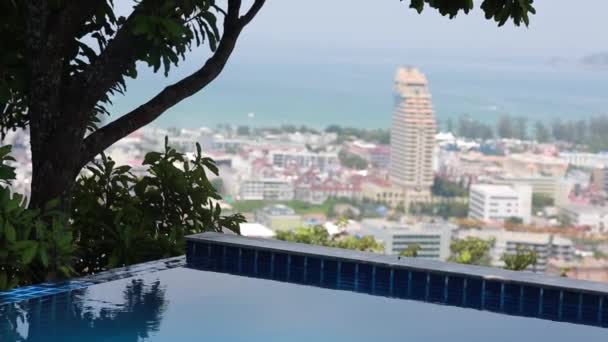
(490, 202)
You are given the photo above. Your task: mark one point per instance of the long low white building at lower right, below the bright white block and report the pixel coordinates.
(546, 246)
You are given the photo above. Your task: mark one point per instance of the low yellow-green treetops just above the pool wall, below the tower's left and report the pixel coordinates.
(318, 235)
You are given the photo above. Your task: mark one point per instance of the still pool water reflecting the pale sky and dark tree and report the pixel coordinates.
(183, 304)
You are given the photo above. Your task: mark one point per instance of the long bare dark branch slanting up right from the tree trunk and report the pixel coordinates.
(173, 94)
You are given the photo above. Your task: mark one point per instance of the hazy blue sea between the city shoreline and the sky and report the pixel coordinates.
(323, 90)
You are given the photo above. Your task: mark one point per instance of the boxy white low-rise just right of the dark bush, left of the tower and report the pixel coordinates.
(270, 189)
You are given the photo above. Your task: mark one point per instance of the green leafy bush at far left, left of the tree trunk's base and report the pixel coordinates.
(29, 251)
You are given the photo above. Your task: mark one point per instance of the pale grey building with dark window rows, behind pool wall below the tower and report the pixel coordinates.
(433, 239)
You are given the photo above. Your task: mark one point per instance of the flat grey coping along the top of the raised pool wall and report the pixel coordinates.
(486, 273)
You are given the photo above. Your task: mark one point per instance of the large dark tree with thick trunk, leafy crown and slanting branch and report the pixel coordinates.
(62, 61)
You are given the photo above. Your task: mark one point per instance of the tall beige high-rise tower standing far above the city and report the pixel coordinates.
(412, 136)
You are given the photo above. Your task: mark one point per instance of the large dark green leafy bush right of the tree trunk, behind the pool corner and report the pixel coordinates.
(120, 219)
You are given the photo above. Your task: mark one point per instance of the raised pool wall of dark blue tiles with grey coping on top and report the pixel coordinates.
(482, 288)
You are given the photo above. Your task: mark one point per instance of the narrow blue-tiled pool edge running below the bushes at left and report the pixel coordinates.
(48, 289)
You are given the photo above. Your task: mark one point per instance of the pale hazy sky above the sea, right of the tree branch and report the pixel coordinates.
(300, 27)
